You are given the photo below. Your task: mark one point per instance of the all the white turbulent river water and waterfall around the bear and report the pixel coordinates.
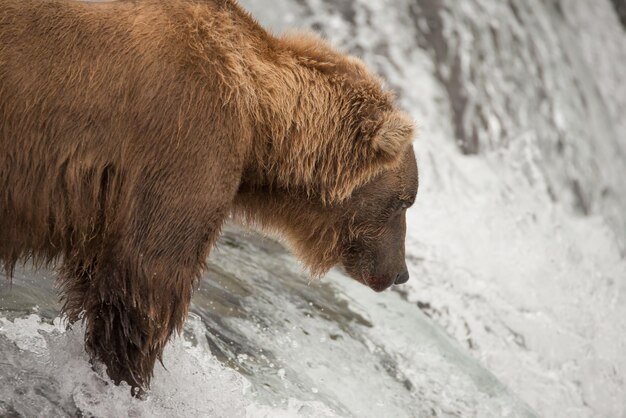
(515, 247)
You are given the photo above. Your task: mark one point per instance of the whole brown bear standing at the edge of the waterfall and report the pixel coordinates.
(130, 130)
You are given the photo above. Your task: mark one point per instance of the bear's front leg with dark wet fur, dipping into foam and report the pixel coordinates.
(143, 264)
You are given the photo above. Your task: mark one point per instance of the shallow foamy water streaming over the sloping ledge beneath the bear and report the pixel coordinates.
(261, 341)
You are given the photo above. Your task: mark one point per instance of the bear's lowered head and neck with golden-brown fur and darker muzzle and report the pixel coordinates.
(335, 169)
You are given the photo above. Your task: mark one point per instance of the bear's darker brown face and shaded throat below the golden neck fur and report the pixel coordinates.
(364, 234)
